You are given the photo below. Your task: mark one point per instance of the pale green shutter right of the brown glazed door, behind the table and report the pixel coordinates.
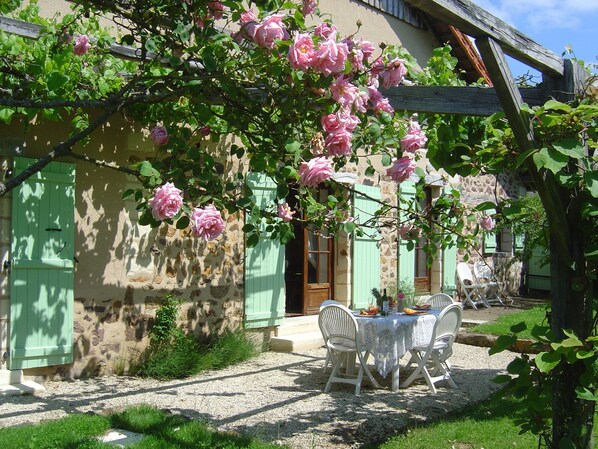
(366, 251)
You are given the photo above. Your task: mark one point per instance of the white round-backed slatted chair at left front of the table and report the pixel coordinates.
(340, 331)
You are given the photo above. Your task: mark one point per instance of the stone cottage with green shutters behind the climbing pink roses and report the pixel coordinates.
(89, 277)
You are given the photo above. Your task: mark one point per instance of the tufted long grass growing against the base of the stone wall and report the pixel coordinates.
(184, 356)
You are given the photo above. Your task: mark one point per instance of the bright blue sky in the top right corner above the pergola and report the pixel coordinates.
(553, 24)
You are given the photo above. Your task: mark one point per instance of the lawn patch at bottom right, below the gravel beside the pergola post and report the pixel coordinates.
(487, 425)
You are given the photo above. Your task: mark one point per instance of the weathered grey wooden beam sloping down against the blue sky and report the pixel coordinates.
(477, 22)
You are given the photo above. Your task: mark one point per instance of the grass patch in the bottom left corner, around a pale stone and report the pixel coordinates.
(162, 430)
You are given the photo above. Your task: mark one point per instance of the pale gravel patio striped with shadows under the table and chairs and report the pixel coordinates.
(277, 397)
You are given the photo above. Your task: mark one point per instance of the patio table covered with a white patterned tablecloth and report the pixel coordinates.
(388, 338)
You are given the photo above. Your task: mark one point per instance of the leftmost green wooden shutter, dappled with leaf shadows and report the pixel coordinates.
(42, 271)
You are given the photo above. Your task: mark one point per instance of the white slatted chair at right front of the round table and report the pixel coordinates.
(438, 350)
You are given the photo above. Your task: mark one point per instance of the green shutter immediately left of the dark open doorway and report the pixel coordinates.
(264, 266)
